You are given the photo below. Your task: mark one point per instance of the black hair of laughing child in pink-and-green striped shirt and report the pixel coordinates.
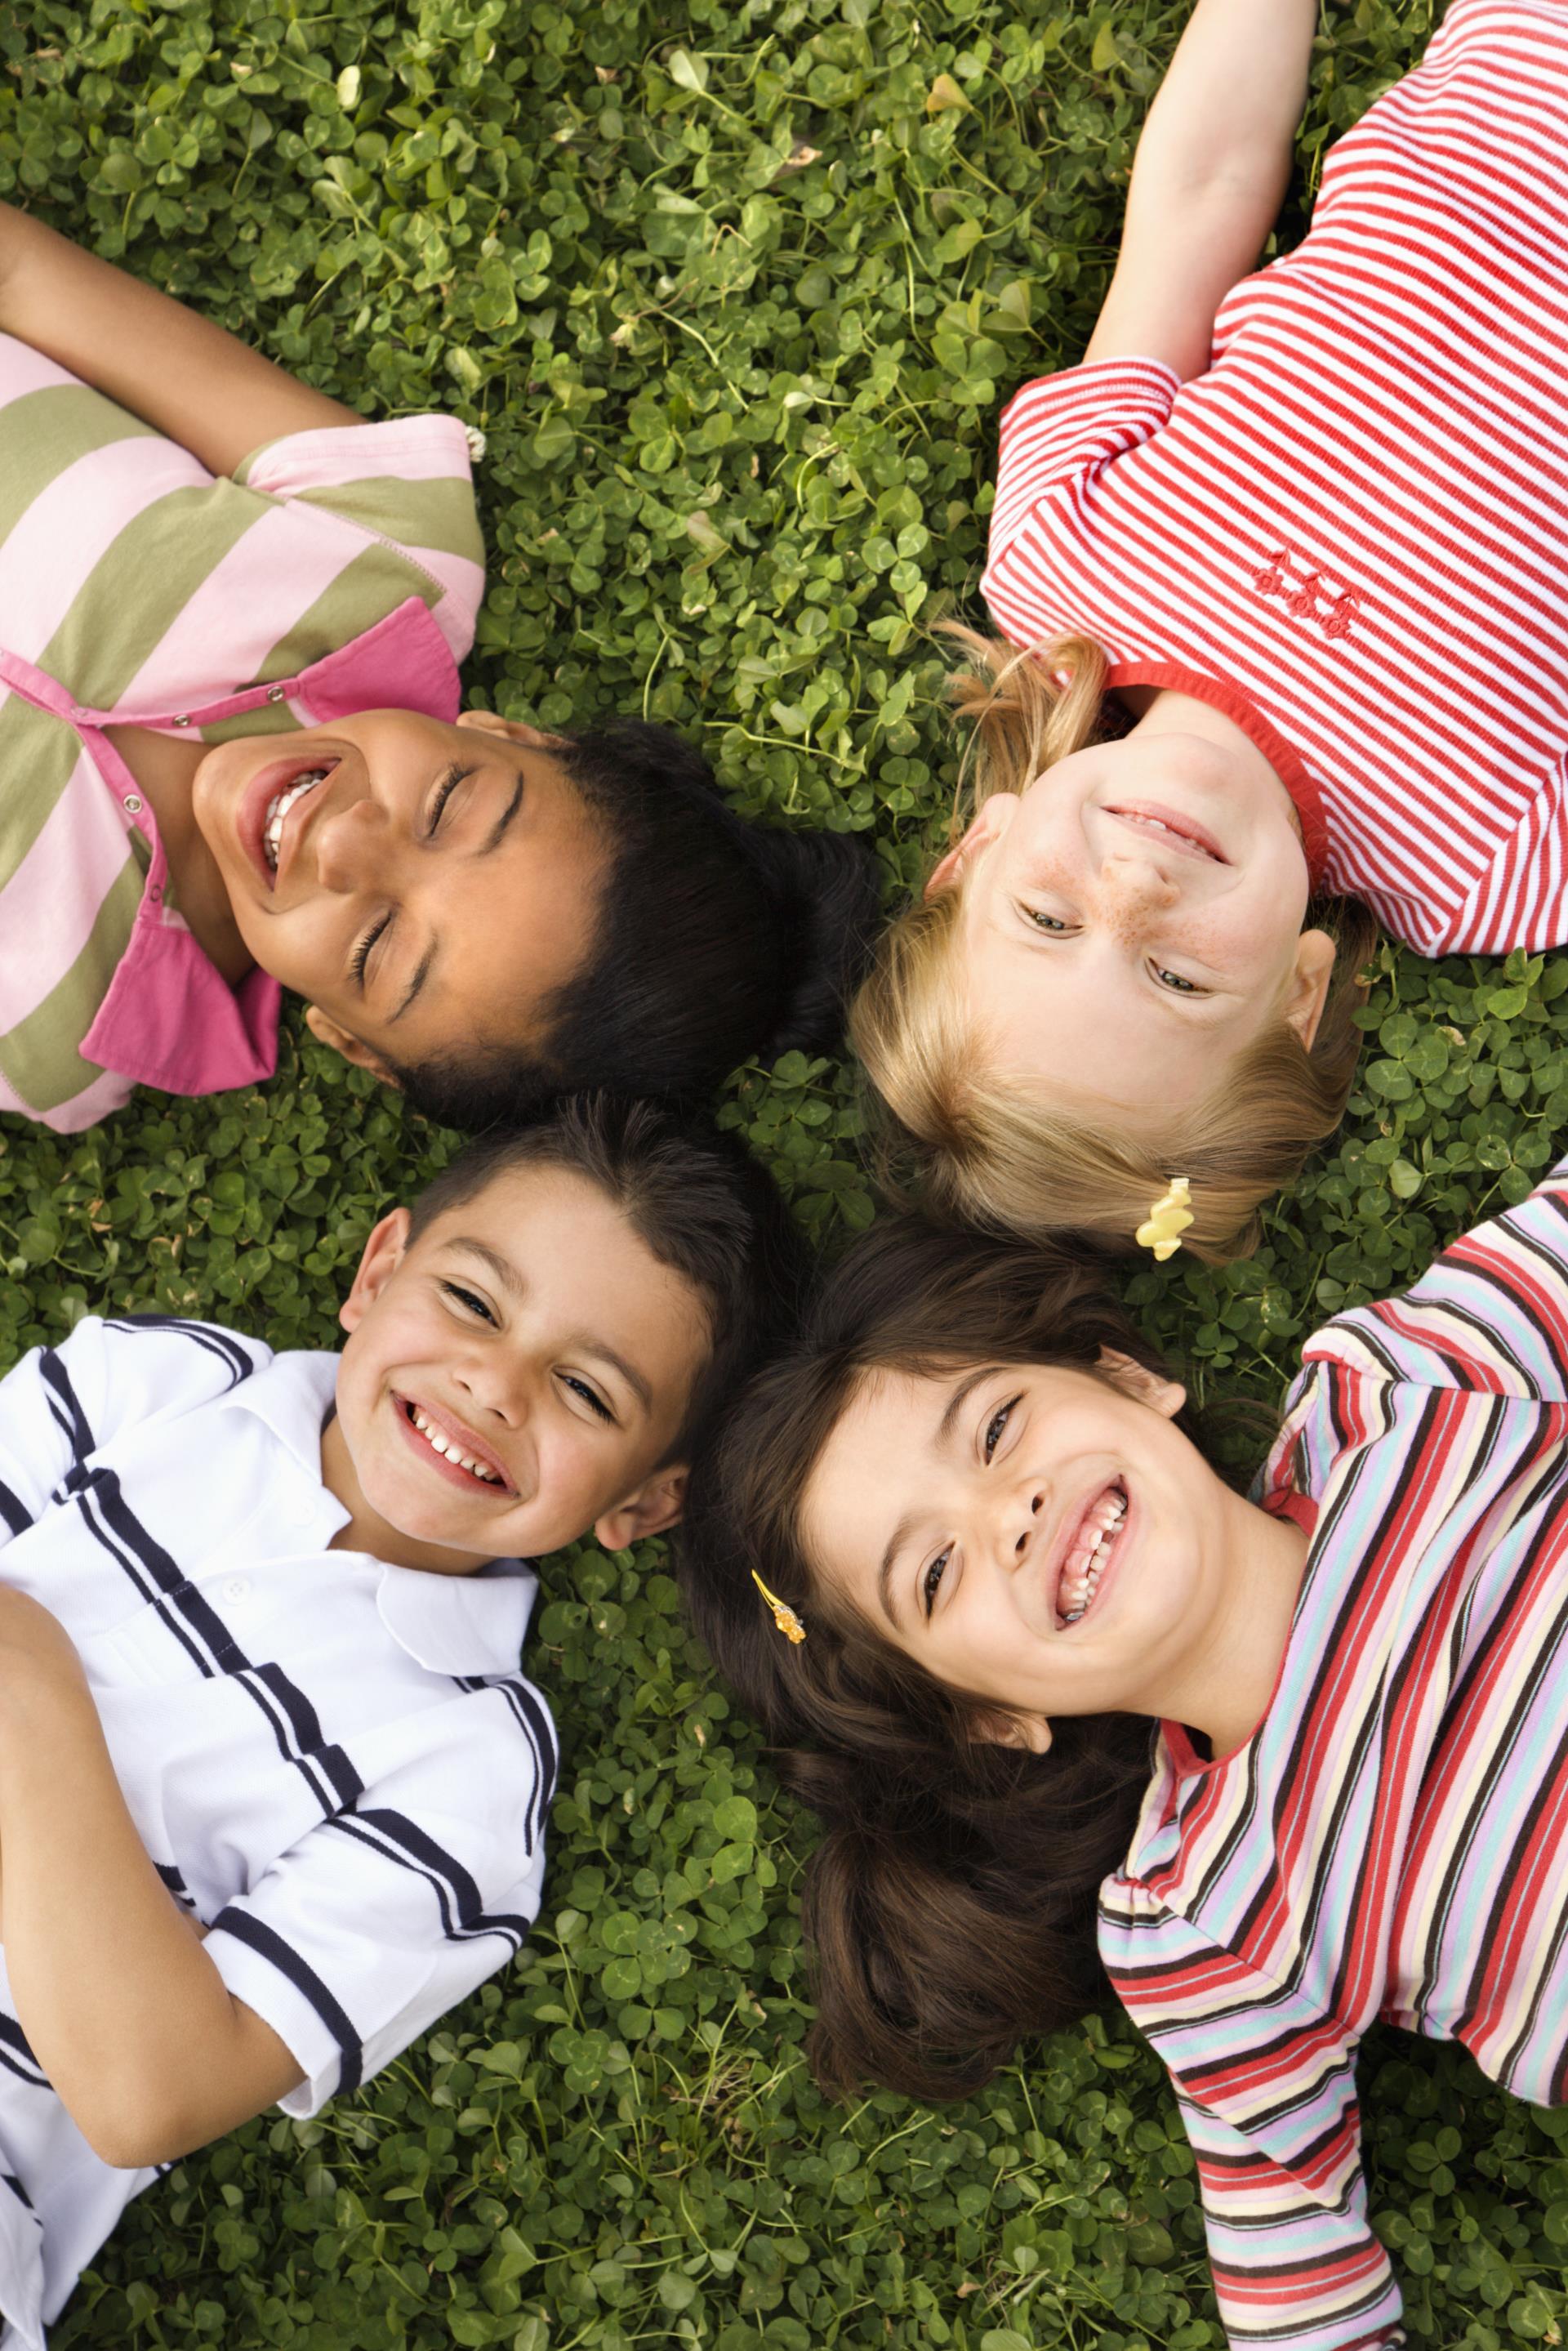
(716, 939)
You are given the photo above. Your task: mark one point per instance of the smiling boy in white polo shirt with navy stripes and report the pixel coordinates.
(272, 1781)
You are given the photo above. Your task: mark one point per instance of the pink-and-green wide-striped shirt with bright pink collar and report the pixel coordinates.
(337, 572)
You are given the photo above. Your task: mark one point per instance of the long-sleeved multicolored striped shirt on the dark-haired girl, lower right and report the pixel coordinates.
(1393, 1842)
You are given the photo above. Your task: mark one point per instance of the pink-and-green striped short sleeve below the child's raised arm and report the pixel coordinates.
(406, 485)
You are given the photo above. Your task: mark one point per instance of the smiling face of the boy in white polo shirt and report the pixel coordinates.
(514, 1377)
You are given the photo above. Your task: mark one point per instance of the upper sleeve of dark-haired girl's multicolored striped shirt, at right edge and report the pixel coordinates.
(1489, 1315)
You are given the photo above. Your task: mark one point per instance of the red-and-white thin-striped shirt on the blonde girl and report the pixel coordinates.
(1351, 530)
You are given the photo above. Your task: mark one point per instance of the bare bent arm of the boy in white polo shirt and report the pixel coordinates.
(114, 1990)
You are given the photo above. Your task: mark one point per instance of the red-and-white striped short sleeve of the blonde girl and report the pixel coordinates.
(1064, 429)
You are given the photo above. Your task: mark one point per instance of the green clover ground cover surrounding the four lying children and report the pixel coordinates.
(735, 288)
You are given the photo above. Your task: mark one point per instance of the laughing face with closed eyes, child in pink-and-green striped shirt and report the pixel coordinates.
(422, 885)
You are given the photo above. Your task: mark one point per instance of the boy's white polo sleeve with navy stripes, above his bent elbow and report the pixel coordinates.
(382, 1920)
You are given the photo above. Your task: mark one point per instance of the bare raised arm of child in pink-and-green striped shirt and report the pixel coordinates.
(182, 375)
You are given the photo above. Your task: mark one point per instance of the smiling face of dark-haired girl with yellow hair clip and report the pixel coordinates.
(1036, 1536)
